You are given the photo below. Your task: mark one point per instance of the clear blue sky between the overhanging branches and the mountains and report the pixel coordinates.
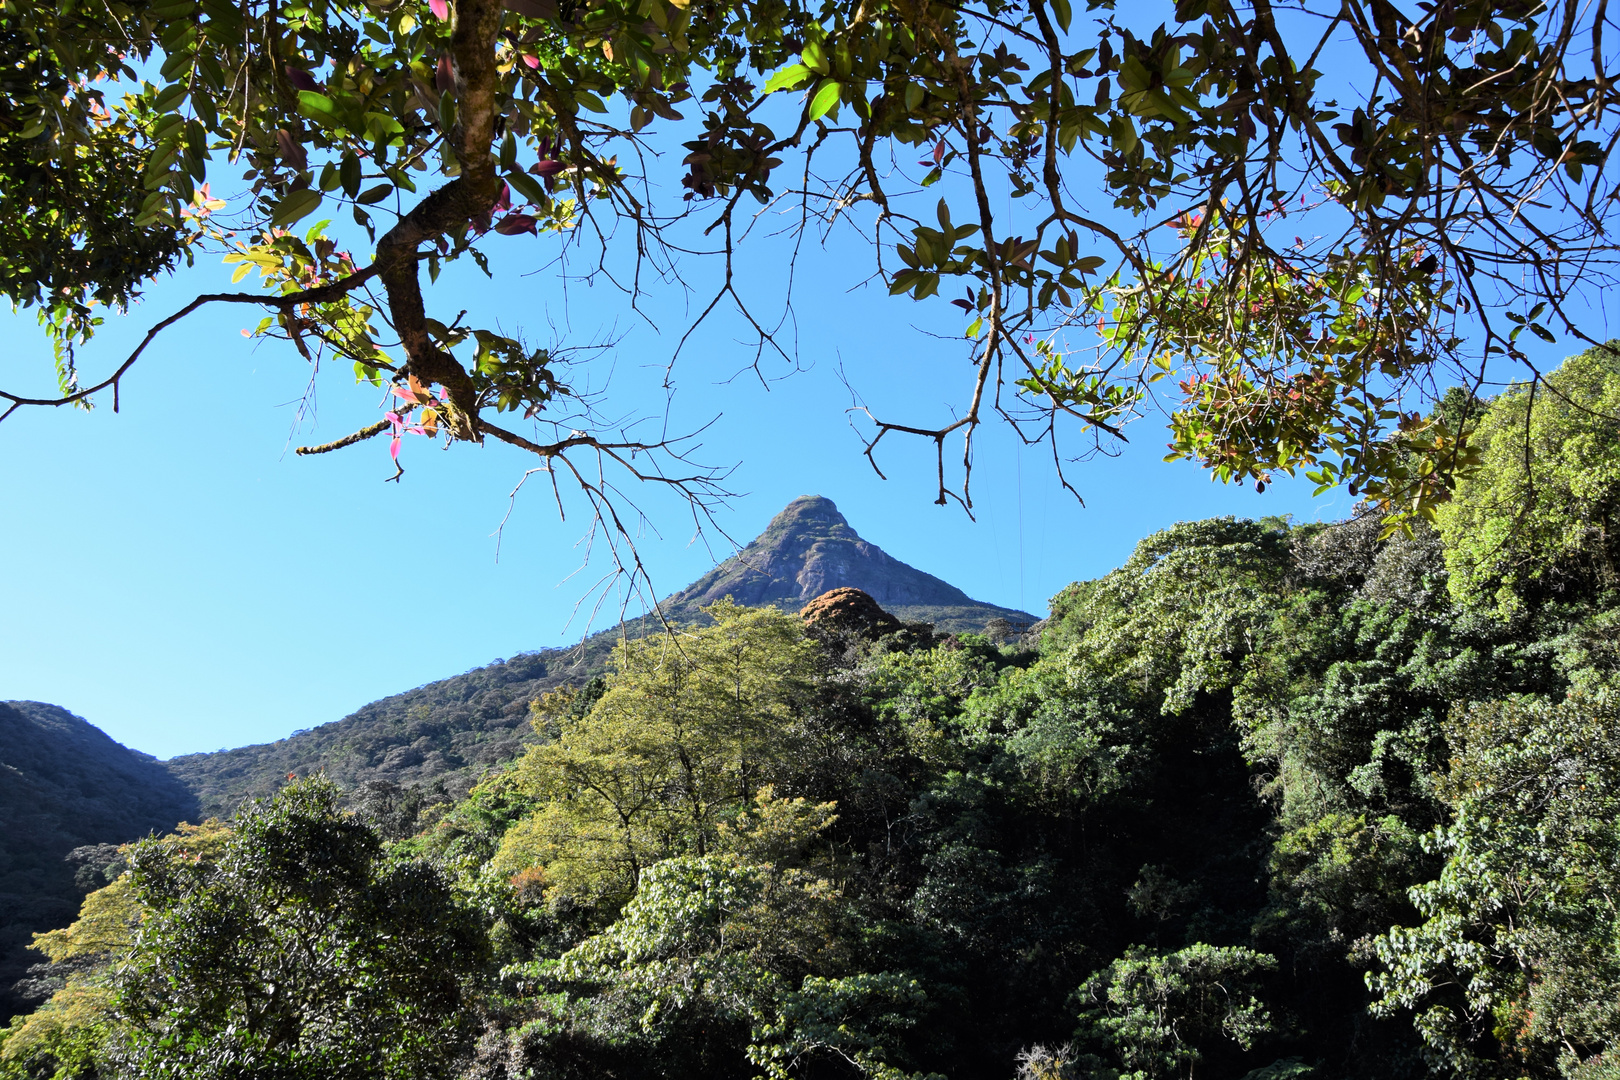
(181, 579)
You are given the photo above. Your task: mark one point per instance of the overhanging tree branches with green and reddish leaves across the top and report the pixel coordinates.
(1311, 219)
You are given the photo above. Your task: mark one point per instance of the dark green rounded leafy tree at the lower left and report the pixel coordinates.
(299, 953)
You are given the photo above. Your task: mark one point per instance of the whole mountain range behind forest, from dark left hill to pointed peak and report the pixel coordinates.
(66, 788)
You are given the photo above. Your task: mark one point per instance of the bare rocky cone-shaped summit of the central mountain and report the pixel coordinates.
(811, 550)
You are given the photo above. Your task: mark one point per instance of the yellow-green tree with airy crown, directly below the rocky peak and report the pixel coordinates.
(686, 731)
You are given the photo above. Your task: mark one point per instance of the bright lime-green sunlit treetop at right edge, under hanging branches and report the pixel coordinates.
(1540, 522)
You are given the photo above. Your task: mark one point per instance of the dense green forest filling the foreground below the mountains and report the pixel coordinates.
(1269, 801)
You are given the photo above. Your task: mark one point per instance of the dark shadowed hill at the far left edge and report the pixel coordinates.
(67, 791)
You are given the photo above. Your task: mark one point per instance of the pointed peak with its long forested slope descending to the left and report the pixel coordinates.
(453, 731)
